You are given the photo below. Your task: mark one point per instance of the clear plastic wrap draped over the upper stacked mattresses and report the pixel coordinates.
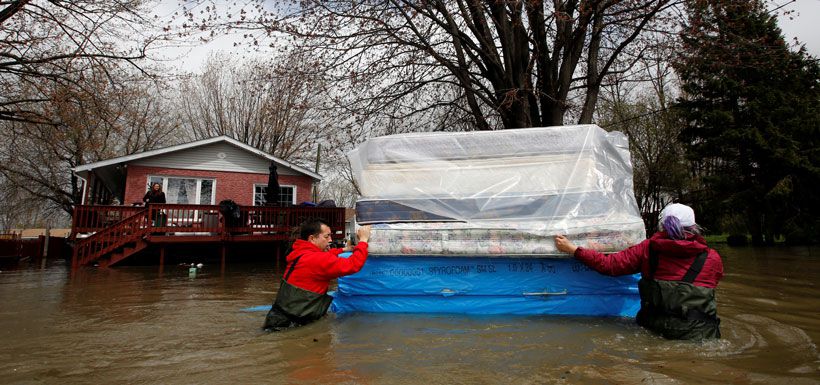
(452, 193)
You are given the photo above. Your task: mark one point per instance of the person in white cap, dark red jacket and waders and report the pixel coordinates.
(679, 274)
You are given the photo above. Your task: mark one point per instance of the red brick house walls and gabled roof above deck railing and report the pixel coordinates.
(202, 172)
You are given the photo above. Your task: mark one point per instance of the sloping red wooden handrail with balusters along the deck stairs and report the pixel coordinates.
(89, 249)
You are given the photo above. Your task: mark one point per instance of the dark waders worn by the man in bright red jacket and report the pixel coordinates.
(295, 306)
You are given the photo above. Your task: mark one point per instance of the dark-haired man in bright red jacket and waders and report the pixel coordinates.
(302, 297)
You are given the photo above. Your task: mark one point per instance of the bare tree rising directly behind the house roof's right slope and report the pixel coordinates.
(271, 105)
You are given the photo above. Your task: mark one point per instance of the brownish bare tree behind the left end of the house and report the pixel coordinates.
(89, 123)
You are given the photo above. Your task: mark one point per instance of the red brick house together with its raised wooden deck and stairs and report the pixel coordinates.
(111, 224)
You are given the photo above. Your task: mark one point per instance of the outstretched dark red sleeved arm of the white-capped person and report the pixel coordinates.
(627, 261)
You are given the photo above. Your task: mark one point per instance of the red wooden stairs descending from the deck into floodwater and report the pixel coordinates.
(113, 243)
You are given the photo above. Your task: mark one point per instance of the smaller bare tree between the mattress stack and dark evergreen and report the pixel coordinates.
(643, 112)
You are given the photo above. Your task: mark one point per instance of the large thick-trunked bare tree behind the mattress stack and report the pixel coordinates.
(494, 64)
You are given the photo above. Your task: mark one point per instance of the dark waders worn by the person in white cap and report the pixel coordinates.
(678, 310)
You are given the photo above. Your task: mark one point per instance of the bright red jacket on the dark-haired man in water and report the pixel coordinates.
(316, 267)
